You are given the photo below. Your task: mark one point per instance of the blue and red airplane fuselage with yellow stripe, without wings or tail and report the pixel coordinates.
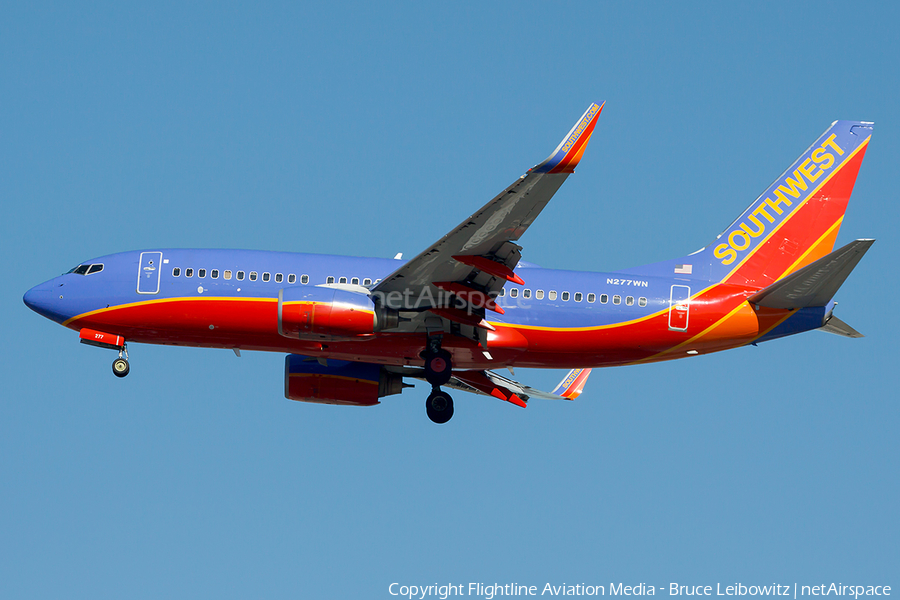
(557, 319)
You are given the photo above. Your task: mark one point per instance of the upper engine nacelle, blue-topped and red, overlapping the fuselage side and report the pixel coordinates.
(316, 311)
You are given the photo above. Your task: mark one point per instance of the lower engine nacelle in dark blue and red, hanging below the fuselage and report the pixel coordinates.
(340, 382)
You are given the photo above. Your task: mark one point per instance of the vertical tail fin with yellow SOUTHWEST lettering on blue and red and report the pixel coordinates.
(796, 220)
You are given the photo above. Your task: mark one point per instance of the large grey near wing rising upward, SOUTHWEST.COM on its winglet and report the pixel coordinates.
(475, 260)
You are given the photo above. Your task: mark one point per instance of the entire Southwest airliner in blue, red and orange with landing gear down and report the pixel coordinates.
(354, 328)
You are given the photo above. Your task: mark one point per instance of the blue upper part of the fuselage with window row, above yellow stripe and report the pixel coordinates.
(549, 298)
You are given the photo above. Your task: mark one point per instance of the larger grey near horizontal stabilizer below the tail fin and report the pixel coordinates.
(816, 283)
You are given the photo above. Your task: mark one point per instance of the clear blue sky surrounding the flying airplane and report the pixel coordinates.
(370, 130)
